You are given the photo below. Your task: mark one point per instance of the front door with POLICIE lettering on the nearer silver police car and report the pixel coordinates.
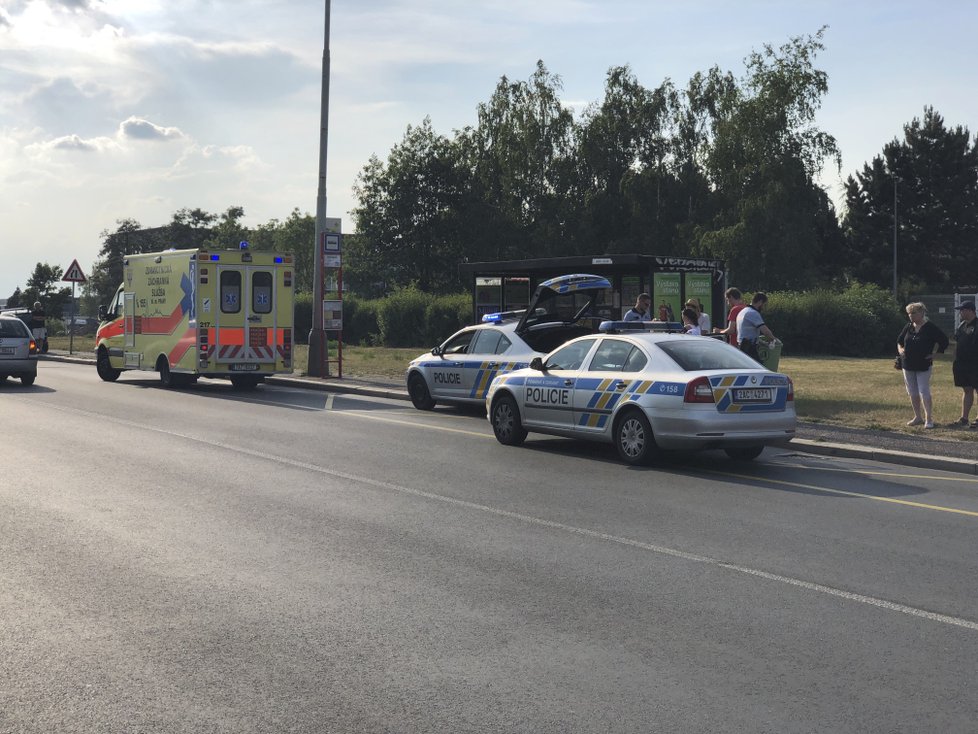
(548, 397)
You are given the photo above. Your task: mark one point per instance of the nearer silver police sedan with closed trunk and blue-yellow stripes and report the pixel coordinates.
(646, 388)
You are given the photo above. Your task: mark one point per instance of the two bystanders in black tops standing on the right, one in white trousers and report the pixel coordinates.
(917, 344)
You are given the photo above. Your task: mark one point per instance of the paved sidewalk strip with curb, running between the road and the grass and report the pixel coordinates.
(913, 450)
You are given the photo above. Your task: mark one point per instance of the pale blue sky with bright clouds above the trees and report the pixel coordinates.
(116, 109)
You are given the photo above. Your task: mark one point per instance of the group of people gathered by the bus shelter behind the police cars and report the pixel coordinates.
(745, 324)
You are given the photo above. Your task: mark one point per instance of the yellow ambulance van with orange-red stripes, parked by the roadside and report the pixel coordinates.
(200, 313)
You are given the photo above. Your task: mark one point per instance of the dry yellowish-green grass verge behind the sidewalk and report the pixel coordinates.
(860, 393)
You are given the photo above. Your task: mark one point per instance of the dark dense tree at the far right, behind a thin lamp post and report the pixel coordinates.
(935, 172)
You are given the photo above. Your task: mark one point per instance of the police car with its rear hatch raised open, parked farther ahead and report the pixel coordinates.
(461, 369)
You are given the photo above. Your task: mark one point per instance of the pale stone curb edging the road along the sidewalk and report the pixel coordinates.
(808, 446)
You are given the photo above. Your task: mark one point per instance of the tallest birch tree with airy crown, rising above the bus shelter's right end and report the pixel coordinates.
(762, 159)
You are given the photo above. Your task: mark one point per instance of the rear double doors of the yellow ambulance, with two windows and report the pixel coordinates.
(245, 320)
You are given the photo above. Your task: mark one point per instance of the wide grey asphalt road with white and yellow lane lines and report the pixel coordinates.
(294, 561)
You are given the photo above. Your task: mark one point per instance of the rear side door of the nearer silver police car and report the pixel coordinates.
(605, 382)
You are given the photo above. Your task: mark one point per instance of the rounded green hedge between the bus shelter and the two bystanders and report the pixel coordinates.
(861, 321)
